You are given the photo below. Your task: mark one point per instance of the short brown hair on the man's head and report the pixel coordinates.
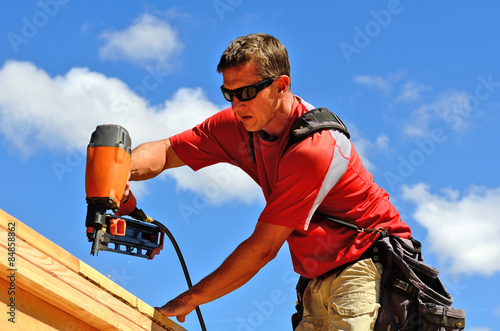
(269, 53)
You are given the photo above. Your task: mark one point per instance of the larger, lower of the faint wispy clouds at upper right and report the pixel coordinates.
(452, 107)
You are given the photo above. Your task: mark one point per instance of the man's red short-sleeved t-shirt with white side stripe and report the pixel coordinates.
(323, 172)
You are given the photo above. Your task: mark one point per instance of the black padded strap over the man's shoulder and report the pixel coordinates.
(315, 120)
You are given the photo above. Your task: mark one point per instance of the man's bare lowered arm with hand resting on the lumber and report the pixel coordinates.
(246, 260)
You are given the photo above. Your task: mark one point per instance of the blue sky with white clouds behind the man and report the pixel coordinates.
(417, 83)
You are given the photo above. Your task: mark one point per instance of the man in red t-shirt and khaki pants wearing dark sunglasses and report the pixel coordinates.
(323, 173)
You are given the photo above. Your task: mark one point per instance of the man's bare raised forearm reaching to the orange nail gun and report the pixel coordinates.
(150, 159)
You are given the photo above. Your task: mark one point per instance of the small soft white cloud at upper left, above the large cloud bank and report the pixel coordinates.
(148, 40)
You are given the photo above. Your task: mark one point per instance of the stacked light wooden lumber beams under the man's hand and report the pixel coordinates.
(44, 287)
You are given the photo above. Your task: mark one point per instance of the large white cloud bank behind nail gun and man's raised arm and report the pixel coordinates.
(59, 113)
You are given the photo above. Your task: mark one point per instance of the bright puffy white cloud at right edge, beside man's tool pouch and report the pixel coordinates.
(463, 230)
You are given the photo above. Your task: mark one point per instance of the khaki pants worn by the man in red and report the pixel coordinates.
(345, 300)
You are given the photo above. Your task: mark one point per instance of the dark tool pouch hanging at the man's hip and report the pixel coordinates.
(412, 295)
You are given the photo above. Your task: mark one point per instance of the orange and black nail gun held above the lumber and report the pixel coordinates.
(107, 172)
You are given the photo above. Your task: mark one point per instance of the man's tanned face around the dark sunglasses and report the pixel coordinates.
(256, 114)
